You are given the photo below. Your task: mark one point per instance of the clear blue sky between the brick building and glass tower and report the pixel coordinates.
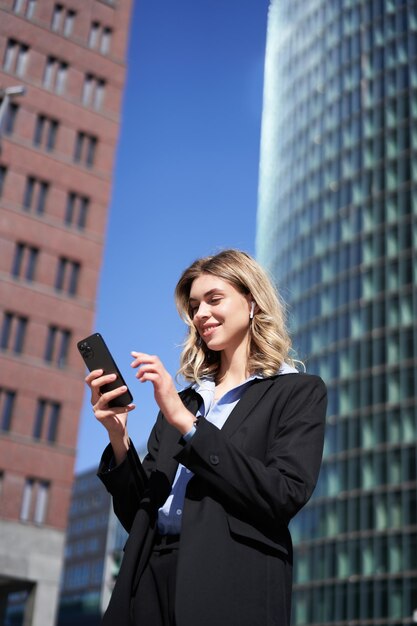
(185, 180)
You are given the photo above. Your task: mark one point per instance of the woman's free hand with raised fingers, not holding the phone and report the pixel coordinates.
(151, 369)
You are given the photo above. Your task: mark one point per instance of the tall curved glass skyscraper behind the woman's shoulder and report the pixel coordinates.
(337, 228)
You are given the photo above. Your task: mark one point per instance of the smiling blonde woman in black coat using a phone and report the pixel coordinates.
(231, 459)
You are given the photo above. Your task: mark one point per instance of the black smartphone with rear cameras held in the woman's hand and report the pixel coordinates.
(96, 355)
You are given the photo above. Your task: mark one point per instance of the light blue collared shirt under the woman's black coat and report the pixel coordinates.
(216, 412)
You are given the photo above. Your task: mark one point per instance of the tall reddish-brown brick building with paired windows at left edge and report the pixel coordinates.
(58, 143)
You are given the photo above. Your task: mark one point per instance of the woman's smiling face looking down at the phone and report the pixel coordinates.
(220, 312)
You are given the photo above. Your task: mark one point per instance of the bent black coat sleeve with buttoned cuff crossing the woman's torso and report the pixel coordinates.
(273, 490)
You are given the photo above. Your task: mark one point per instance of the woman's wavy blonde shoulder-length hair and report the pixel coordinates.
(270, 343)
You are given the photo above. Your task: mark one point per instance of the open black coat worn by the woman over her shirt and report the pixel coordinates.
(250, 478)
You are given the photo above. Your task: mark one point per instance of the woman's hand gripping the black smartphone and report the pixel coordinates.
(113, 418)
